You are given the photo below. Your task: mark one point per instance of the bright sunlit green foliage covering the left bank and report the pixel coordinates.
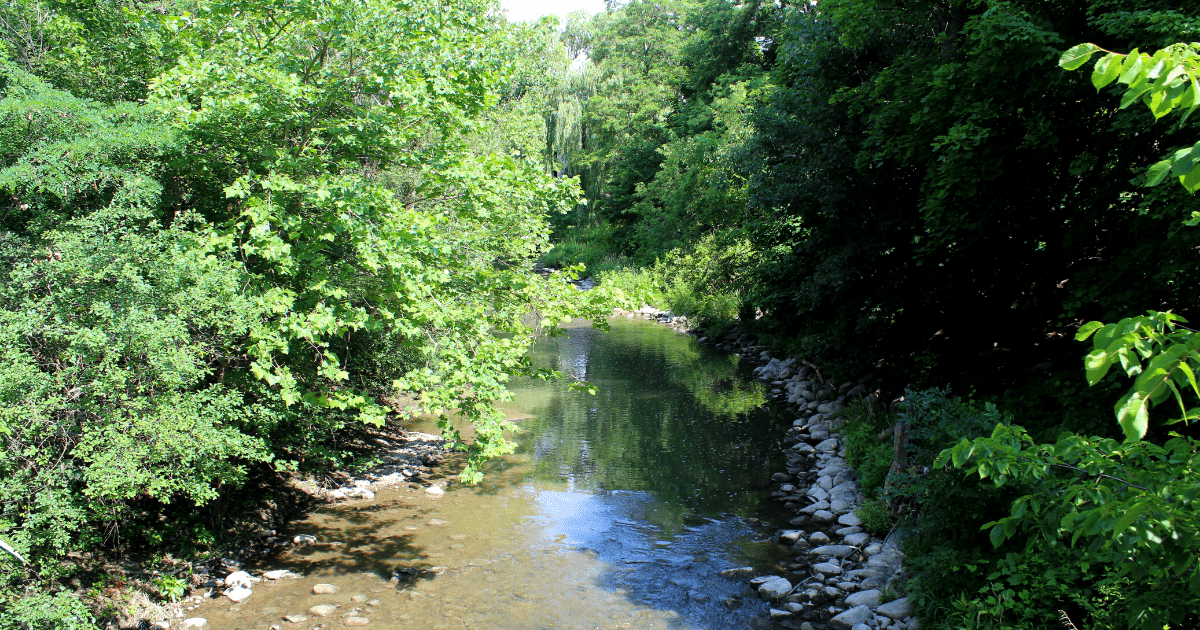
(233, 230)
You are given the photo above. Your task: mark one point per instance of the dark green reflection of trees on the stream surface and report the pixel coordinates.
(669, 417)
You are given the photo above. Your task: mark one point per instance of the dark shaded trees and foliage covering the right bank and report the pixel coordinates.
(920, 188)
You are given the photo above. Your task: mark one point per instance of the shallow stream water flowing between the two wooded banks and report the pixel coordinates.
(619, 511)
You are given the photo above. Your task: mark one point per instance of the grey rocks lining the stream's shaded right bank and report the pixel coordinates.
(838, 573)
